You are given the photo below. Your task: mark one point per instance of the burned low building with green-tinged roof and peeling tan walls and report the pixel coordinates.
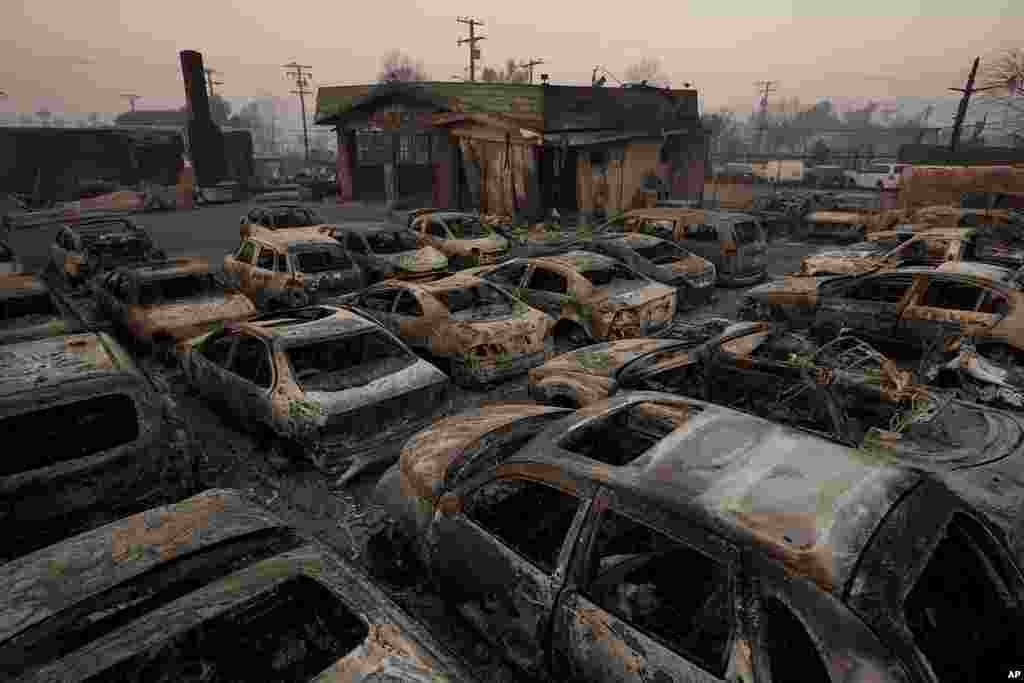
(515, 149)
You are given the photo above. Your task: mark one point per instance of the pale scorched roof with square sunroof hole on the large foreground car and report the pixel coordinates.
(806, 500)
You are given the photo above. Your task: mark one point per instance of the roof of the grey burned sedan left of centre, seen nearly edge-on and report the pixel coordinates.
(307, 325)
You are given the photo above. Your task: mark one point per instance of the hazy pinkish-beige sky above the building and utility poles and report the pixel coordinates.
(82, 57)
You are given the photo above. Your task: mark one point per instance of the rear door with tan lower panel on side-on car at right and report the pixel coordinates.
(944, 309)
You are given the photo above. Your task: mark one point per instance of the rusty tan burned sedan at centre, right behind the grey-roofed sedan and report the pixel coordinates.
(478, 332)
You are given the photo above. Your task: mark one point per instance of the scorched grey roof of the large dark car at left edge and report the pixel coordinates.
(51, 362)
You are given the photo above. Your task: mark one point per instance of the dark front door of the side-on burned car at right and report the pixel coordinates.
(871, 306)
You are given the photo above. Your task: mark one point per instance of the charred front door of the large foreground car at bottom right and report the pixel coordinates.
(505, 546)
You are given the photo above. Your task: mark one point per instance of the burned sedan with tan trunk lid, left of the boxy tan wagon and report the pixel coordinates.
(165, 303)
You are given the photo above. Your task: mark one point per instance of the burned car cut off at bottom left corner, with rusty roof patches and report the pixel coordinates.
(214, 588)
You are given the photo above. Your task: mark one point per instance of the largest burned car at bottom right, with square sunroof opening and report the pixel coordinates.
(657, 538)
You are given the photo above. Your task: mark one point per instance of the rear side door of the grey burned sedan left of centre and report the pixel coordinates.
(250, 382)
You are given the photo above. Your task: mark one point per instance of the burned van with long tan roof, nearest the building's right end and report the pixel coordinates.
(736, 243)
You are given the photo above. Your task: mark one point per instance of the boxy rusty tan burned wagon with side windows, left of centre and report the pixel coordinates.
(290, 268)
